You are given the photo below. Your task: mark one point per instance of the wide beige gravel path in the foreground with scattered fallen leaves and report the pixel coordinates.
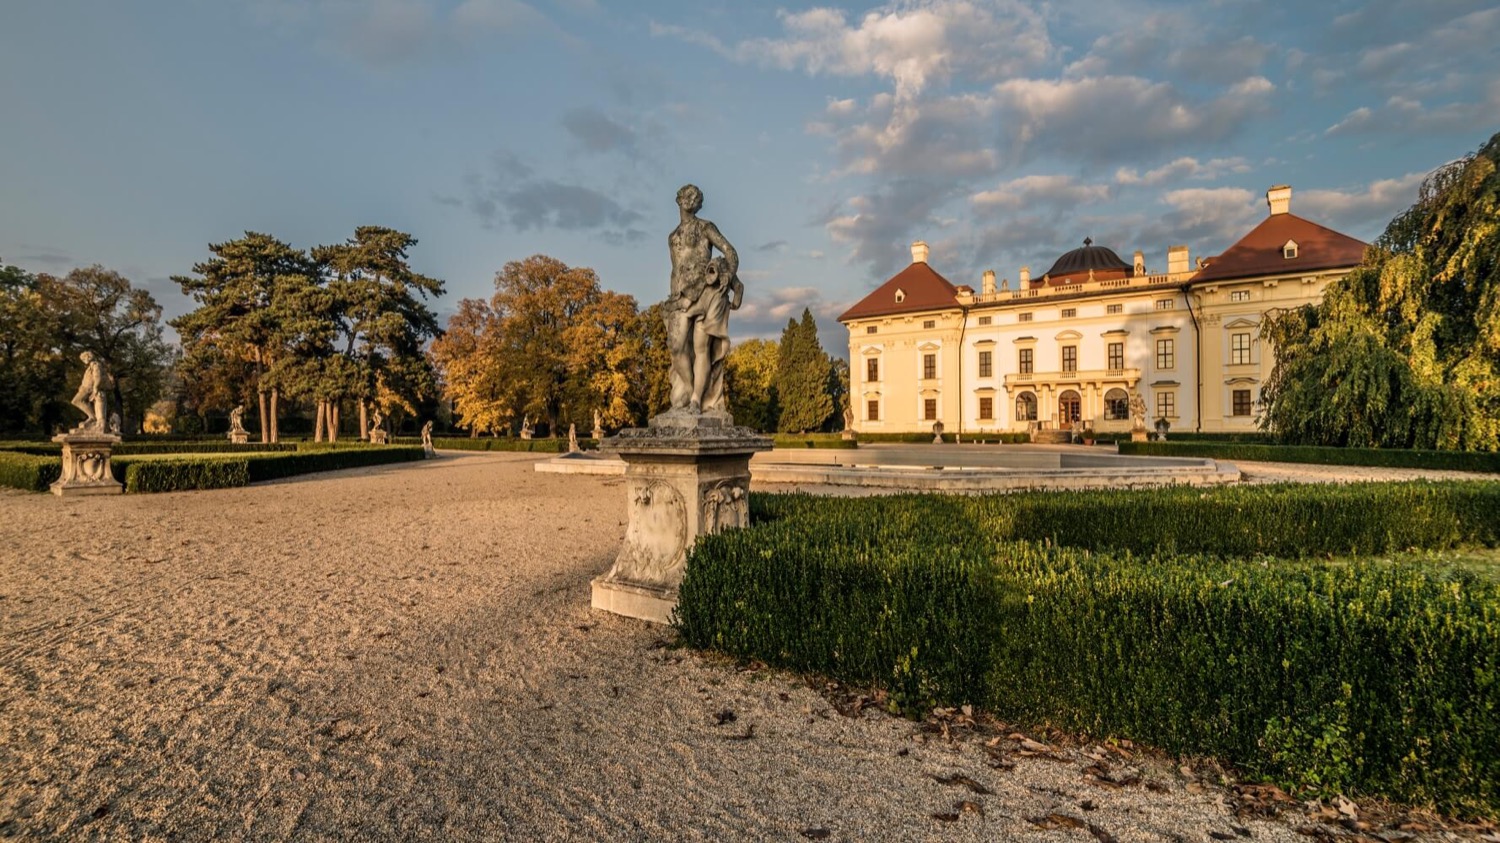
(407, 653)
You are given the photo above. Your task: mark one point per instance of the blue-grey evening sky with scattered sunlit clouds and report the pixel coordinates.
(826, 139)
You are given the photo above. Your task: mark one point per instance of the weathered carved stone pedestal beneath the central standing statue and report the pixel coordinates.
(686, 476)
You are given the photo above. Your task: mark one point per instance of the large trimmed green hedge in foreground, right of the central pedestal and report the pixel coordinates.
(1358, 677)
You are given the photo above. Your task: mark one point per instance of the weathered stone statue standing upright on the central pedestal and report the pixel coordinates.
(704, 290)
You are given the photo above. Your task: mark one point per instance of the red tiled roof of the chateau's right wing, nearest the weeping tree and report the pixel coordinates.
(1259, 253)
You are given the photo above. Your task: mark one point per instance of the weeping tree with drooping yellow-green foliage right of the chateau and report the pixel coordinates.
(1405, 353)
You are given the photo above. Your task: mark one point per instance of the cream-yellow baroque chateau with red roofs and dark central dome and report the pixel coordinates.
(1069, 349)
